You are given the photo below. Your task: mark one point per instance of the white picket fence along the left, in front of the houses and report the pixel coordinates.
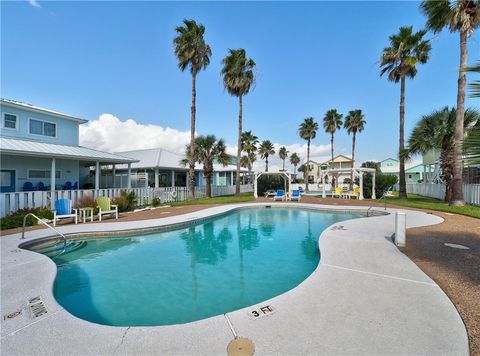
(11, 202)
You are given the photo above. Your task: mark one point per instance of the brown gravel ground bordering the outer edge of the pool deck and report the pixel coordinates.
(456, 271)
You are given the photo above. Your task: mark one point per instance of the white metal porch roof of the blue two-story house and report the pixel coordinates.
(30, 148)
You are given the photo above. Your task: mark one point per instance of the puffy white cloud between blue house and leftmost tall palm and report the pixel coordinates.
(110, 134)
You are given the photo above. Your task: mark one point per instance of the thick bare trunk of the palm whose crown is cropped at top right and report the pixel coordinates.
(457, 186)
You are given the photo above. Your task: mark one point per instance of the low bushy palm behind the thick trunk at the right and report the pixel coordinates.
(437, 131)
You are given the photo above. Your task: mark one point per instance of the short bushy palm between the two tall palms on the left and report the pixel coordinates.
(208, 150)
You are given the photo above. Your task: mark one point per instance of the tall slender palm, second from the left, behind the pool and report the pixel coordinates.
(238, 78)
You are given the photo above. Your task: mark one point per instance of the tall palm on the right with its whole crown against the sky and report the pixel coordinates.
(407, 49)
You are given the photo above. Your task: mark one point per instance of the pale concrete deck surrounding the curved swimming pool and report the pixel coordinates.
(365, 297)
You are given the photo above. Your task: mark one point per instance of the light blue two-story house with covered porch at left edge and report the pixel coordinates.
(40, 150)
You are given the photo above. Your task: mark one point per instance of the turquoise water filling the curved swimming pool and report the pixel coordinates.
(210, 268)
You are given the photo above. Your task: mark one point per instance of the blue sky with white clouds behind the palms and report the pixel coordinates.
(113, 64)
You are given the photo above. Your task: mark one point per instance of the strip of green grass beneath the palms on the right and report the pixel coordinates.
(421, 202)
